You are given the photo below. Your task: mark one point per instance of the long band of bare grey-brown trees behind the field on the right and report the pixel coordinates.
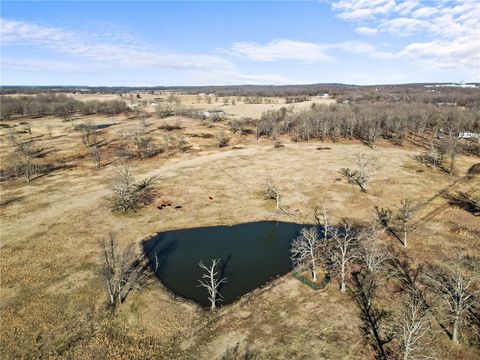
(368, 122)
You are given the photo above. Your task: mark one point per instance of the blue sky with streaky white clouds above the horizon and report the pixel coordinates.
(155, 43)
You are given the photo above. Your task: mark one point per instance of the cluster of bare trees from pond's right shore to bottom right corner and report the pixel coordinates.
(431, 296)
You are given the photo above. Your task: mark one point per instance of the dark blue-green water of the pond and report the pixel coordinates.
(252, 254)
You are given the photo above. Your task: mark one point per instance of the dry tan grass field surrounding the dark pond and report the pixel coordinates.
(53, 302)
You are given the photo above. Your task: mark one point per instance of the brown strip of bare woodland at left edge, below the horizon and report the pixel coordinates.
(59, 105)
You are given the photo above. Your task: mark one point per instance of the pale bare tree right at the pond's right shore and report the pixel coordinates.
(305, 250)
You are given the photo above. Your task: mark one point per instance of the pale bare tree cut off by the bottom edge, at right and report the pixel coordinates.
(414, 329)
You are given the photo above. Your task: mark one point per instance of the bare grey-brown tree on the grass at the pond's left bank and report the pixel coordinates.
(123, 270)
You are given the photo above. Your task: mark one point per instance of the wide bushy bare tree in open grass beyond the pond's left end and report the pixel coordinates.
(129, 195)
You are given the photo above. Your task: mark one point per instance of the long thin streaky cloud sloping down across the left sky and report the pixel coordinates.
(112, 48)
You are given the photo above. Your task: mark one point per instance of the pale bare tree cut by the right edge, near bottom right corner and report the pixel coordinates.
(458, 289)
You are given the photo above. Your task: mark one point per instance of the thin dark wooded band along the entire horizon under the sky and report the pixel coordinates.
(389, 93)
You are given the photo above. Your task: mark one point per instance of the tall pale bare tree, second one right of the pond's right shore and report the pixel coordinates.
(342, 250)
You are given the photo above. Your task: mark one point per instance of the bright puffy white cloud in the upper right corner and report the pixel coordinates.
(450, 28)
